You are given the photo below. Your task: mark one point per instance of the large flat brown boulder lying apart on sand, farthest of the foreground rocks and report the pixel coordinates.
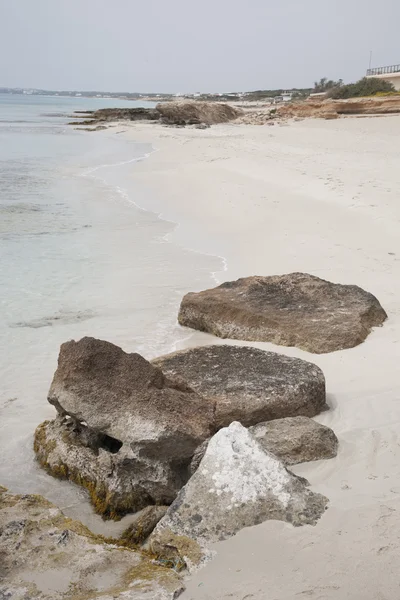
(290, 310)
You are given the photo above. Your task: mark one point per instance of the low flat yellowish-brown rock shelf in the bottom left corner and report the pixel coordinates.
(45, 555)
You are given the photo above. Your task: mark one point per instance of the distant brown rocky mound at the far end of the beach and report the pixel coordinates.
(195, 112)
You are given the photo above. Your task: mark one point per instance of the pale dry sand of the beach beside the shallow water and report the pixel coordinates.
(321, 197)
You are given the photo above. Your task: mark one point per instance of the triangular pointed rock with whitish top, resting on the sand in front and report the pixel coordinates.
(238, 484)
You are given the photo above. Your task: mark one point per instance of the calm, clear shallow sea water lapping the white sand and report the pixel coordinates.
(79, 256)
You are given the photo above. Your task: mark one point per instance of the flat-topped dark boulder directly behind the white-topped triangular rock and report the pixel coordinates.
(247, 384)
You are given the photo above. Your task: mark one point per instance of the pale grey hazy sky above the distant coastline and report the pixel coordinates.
(192, 45)
